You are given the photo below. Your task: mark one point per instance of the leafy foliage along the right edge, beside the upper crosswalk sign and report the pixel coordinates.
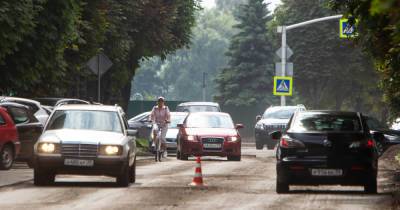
(379, 34)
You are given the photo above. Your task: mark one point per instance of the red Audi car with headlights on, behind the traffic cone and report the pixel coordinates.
(209, 134)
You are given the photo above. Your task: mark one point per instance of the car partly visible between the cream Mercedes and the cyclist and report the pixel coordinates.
(142, 124)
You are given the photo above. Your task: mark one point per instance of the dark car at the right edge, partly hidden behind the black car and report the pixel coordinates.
(390, 137)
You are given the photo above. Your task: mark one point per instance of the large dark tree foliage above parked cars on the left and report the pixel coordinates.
(48, 54)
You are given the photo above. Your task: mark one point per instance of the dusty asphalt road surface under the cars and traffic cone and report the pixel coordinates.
(248, 184)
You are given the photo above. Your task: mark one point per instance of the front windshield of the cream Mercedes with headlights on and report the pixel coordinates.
(85, 120)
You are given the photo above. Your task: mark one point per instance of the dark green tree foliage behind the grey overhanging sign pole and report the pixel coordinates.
(329, 72)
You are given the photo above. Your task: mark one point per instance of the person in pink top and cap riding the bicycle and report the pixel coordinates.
(160, 116)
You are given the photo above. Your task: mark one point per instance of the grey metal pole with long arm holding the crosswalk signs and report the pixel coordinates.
(284, 29)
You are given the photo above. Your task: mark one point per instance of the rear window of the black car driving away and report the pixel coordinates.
(326, 122)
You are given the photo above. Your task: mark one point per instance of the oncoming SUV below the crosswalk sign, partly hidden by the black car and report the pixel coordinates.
(274, 118)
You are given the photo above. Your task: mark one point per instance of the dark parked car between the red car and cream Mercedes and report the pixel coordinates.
(28, 127)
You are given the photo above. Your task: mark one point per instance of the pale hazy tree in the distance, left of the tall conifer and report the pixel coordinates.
(180, 75)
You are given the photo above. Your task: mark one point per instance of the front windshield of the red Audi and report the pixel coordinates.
(209, 121)
